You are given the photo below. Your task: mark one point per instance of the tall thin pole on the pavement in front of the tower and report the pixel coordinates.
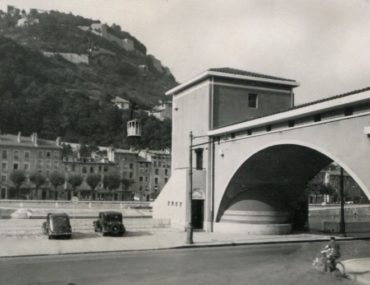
(189, 226)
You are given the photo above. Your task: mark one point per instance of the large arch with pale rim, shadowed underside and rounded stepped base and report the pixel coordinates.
(266, 190)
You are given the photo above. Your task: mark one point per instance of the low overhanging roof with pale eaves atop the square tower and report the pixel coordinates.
(226, 72)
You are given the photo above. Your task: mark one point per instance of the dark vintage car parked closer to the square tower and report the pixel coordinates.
(109, 222)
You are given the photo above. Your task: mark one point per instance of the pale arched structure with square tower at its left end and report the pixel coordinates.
(255, 150)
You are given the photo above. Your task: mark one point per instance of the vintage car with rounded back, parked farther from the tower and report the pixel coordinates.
(57, 225)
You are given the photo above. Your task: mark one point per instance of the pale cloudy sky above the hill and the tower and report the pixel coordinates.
(324, 45)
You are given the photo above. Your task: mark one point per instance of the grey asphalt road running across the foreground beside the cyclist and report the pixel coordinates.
(253, 264)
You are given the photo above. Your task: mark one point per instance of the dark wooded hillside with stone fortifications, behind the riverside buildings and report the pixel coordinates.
(58, 76)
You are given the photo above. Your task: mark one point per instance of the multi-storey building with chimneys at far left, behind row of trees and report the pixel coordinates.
(29, 154)
